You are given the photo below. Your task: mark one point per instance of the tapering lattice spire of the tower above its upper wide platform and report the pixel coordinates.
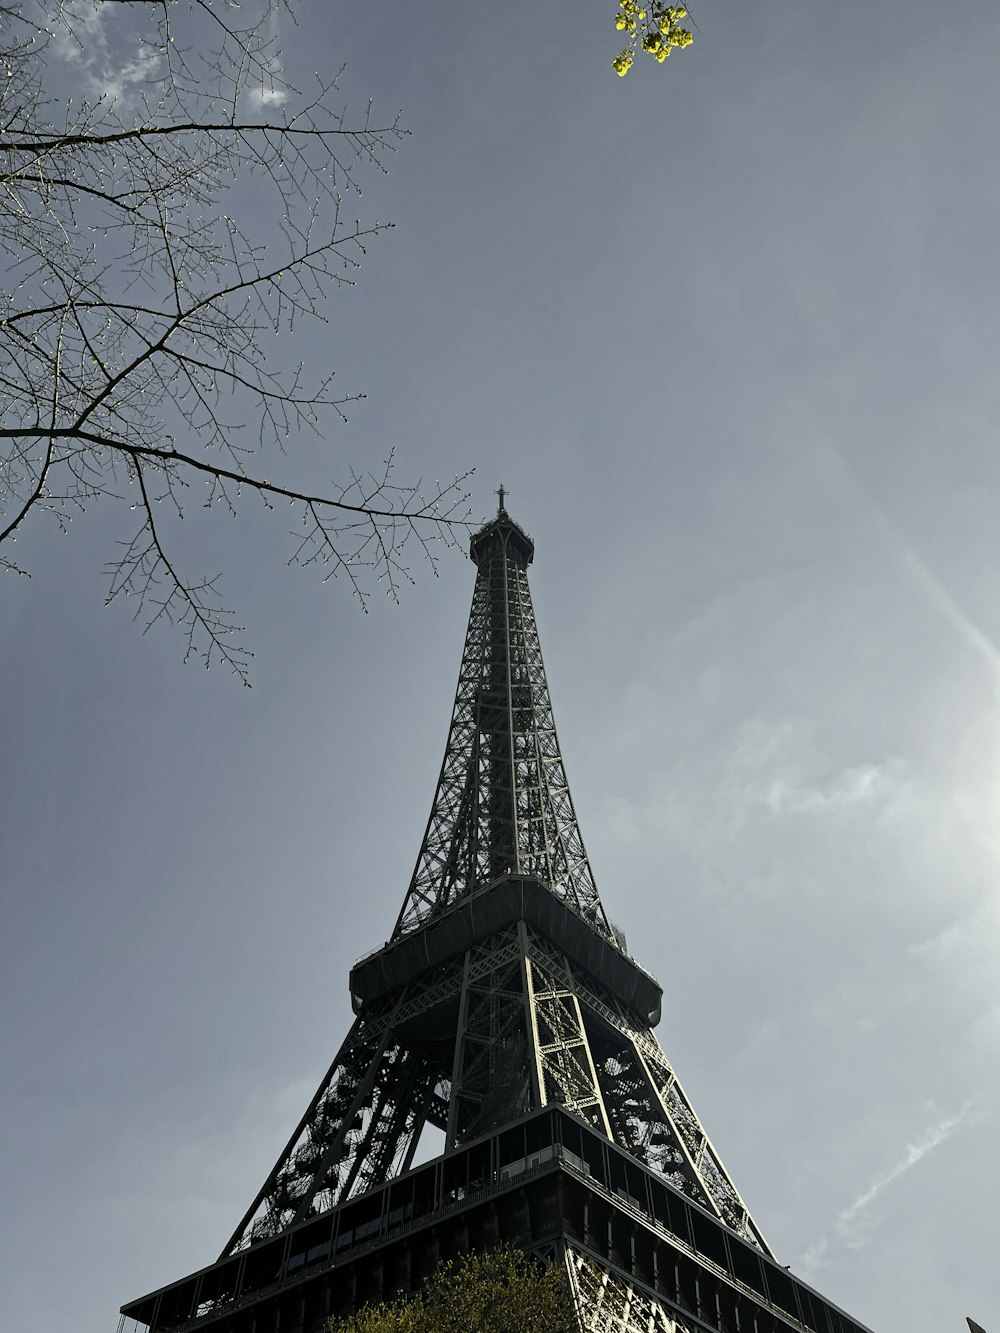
(503, 802)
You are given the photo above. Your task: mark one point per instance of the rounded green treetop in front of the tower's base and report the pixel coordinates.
(501, 1291)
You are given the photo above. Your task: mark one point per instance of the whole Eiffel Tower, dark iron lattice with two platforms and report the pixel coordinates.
(506, 1015)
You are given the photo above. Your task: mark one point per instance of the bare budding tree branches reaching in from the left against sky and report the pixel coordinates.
(146, 295)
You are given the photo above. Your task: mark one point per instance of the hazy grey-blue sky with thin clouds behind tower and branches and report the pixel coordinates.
(730, 333)
